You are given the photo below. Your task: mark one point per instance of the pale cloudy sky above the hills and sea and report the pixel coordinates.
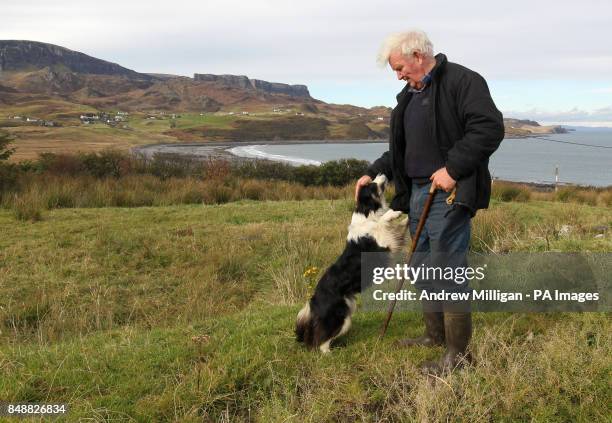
(545, 60)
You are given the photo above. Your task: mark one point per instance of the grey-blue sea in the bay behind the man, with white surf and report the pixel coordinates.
(583, 156)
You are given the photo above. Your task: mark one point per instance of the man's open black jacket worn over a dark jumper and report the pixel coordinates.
(467, 128)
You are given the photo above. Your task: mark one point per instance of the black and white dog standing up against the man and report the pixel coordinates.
(374, 228)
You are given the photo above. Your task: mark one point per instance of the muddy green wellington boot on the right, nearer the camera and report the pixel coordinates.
(458, 331)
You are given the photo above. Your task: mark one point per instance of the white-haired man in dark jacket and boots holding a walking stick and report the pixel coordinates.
(442, 132)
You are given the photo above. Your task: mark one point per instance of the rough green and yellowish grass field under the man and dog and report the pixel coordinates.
(185, 313)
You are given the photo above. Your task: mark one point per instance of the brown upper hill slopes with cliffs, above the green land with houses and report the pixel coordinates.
(34, 68)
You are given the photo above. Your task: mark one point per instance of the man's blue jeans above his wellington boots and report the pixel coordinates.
(444, 241)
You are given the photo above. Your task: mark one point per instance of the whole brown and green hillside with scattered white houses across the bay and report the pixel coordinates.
(45, 89)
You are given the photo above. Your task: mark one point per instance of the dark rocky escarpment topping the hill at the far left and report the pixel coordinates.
(32, 55)
